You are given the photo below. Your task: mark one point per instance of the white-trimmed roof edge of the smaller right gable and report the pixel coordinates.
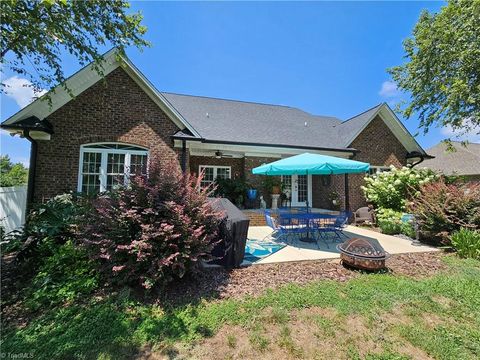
(395, 126)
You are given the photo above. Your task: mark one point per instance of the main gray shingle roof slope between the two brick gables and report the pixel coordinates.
(247, 122)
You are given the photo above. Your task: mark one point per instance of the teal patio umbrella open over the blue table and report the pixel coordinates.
(314, 164)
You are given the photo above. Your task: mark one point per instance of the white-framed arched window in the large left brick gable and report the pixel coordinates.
(105, 165)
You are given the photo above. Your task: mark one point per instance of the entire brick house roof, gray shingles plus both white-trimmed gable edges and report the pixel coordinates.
(229, 120)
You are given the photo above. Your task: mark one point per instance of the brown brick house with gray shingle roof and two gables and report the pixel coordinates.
(84, 143)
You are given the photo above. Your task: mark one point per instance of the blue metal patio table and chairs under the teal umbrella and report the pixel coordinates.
(301, 224)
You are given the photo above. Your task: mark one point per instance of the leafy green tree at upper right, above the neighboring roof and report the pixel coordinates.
(442, 72)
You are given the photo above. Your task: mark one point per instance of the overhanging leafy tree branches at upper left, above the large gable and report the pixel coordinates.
(36, 32)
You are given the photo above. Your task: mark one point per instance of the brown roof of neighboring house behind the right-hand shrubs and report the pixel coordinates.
(463, 161)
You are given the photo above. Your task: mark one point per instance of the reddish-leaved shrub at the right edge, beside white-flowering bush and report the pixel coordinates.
(441, 209)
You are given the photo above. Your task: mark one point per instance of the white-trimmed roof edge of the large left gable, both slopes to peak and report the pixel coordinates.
(87, 77)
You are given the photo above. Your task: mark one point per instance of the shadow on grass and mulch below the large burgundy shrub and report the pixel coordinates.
(123, 325)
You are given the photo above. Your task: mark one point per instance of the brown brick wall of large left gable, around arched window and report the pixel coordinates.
(115, 110)
